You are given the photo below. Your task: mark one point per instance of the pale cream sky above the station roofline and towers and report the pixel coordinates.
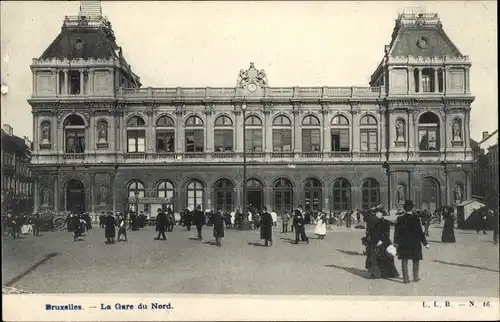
(198, 44)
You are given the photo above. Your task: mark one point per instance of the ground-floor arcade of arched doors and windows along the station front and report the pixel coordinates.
(328, 188)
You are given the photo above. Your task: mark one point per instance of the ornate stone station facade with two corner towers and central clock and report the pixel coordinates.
(105, 143)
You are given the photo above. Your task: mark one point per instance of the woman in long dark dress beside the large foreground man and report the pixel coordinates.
(379, 262)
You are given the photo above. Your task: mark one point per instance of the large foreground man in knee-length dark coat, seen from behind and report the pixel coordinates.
(409, 237)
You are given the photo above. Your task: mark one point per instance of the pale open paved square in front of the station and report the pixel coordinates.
(53, 263)
